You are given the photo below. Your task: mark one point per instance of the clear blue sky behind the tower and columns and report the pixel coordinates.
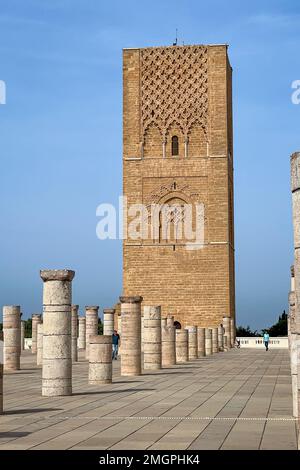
(61, 138)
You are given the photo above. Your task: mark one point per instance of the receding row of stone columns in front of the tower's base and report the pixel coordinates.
(163, 346)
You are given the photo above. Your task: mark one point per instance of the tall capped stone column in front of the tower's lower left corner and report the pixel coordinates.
(131, 335)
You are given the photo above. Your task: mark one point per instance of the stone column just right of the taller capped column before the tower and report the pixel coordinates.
(152, 338)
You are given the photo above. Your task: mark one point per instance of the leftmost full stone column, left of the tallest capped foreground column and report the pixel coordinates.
(12, 337)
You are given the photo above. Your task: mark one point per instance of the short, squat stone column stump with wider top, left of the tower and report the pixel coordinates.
(100, 360)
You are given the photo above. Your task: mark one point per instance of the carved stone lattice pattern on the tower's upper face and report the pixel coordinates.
(174, 88)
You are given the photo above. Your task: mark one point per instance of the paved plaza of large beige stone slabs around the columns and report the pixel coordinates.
(218, 402)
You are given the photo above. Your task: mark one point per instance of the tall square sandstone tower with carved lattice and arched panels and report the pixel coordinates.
(178, 152)
